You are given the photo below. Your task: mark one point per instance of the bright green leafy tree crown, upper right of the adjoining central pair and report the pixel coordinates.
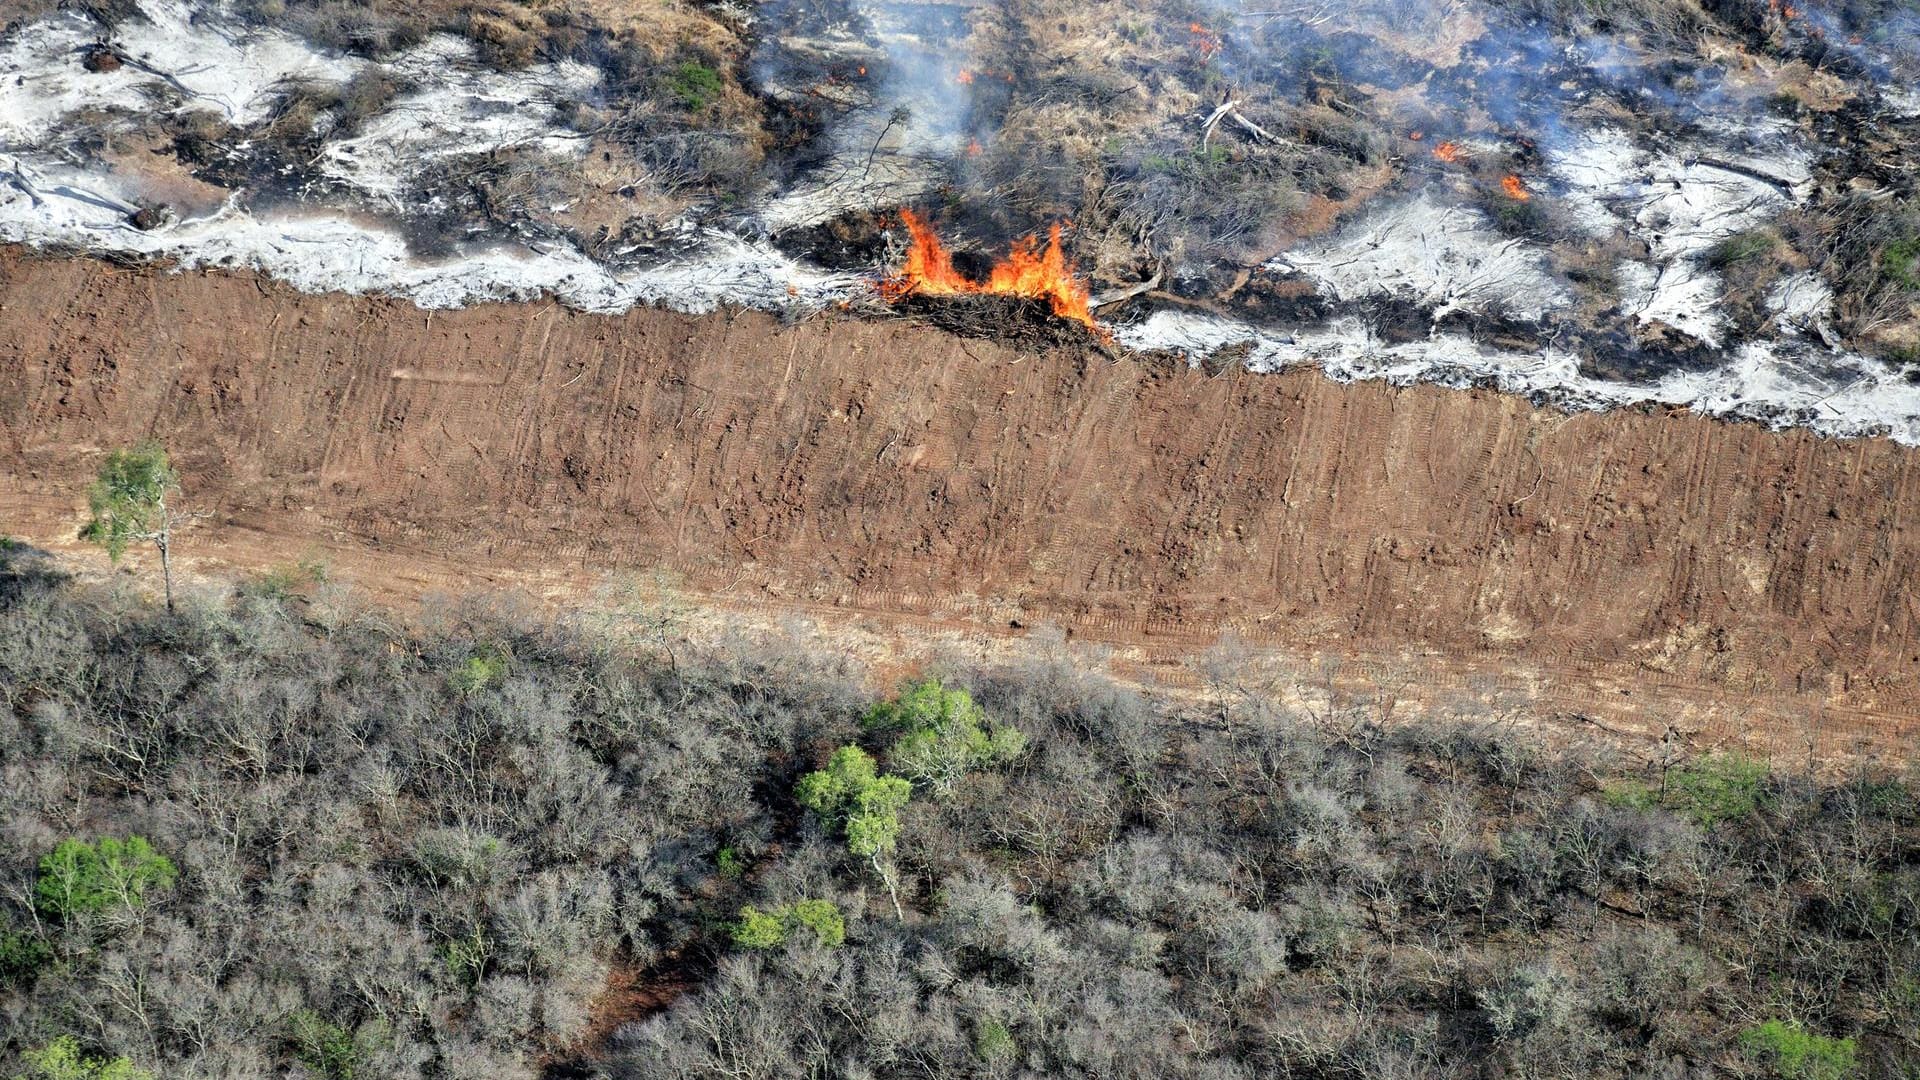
(944, 737)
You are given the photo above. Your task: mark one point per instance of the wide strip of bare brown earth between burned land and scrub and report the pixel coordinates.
(1644, 572)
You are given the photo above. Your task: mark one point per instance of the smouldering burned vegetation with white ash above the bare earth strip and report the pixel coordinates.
(1195, 157)
